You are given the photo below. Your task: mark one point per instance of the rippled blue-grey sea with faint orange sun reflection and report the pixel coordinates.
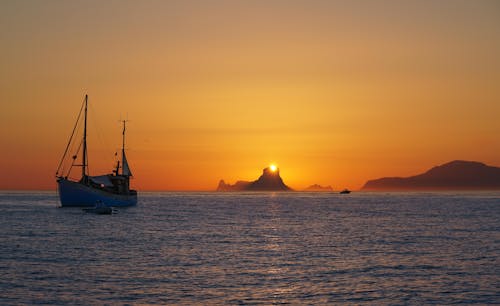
(253, 249)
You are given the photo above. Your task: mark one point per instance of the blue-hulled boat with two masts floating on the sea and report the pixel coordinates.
(110, 189)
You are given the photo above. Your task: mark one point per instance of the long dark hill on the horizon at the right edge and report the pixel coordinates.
(455, 175)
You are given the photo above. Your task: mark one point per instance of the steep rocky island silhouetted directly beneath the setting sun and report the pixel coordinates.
(269, 181)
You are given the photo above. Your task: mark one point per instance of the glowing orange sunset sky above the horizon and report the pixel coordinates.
(333, 92)
